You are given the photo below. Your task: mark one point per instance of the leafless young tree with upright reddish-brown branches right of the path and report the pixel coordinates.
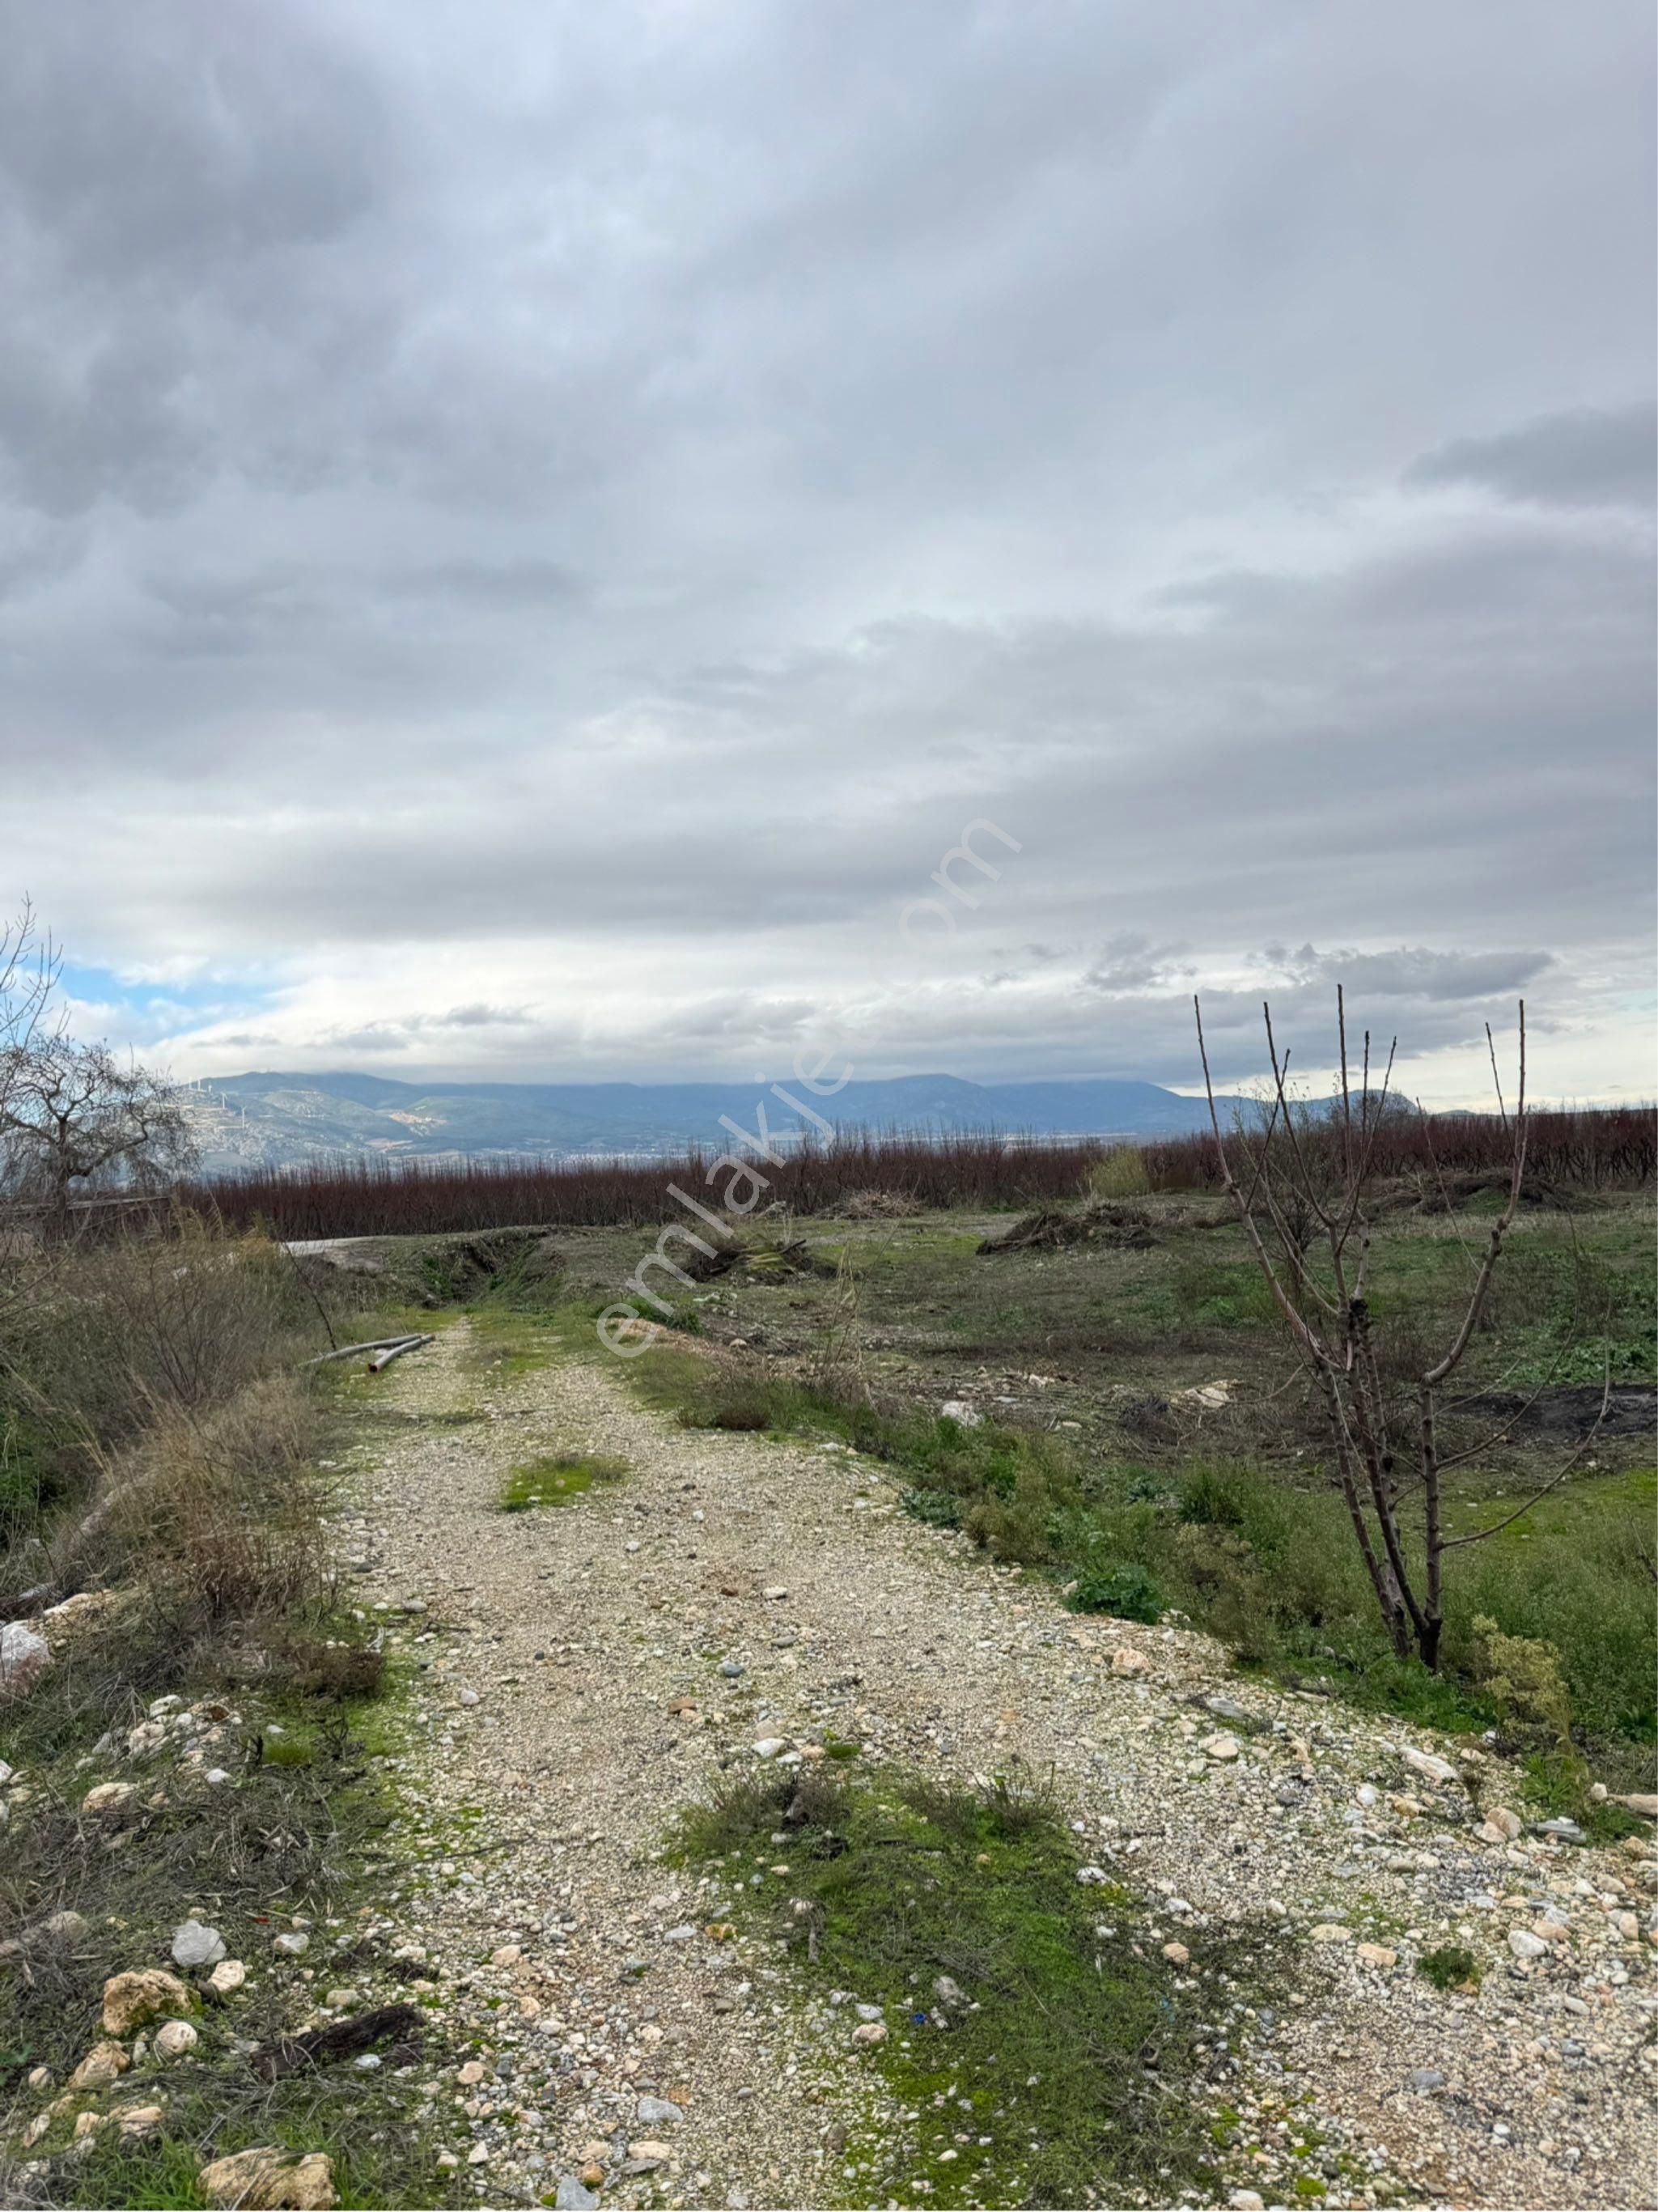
(1301, 1202)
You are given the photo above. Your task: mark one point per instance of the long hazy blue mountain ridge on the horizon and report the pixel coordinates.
(284, 1120)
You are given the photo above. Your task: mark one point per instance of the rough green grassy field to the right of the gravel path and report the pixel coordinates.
(1098, 1452)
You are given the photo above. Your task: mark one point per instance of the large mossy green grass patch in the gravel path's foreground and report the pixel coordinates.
(1073, 2045)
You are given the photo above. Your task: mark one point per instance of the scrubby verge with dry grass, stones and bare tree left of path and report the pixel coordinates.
(191, 1713)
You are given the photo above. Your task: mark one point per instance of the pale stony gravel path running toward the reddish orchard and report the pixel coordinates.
(784, 1592)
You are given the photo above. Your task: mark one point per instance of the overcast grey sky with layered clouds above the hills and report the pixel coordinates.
(529, 530)
